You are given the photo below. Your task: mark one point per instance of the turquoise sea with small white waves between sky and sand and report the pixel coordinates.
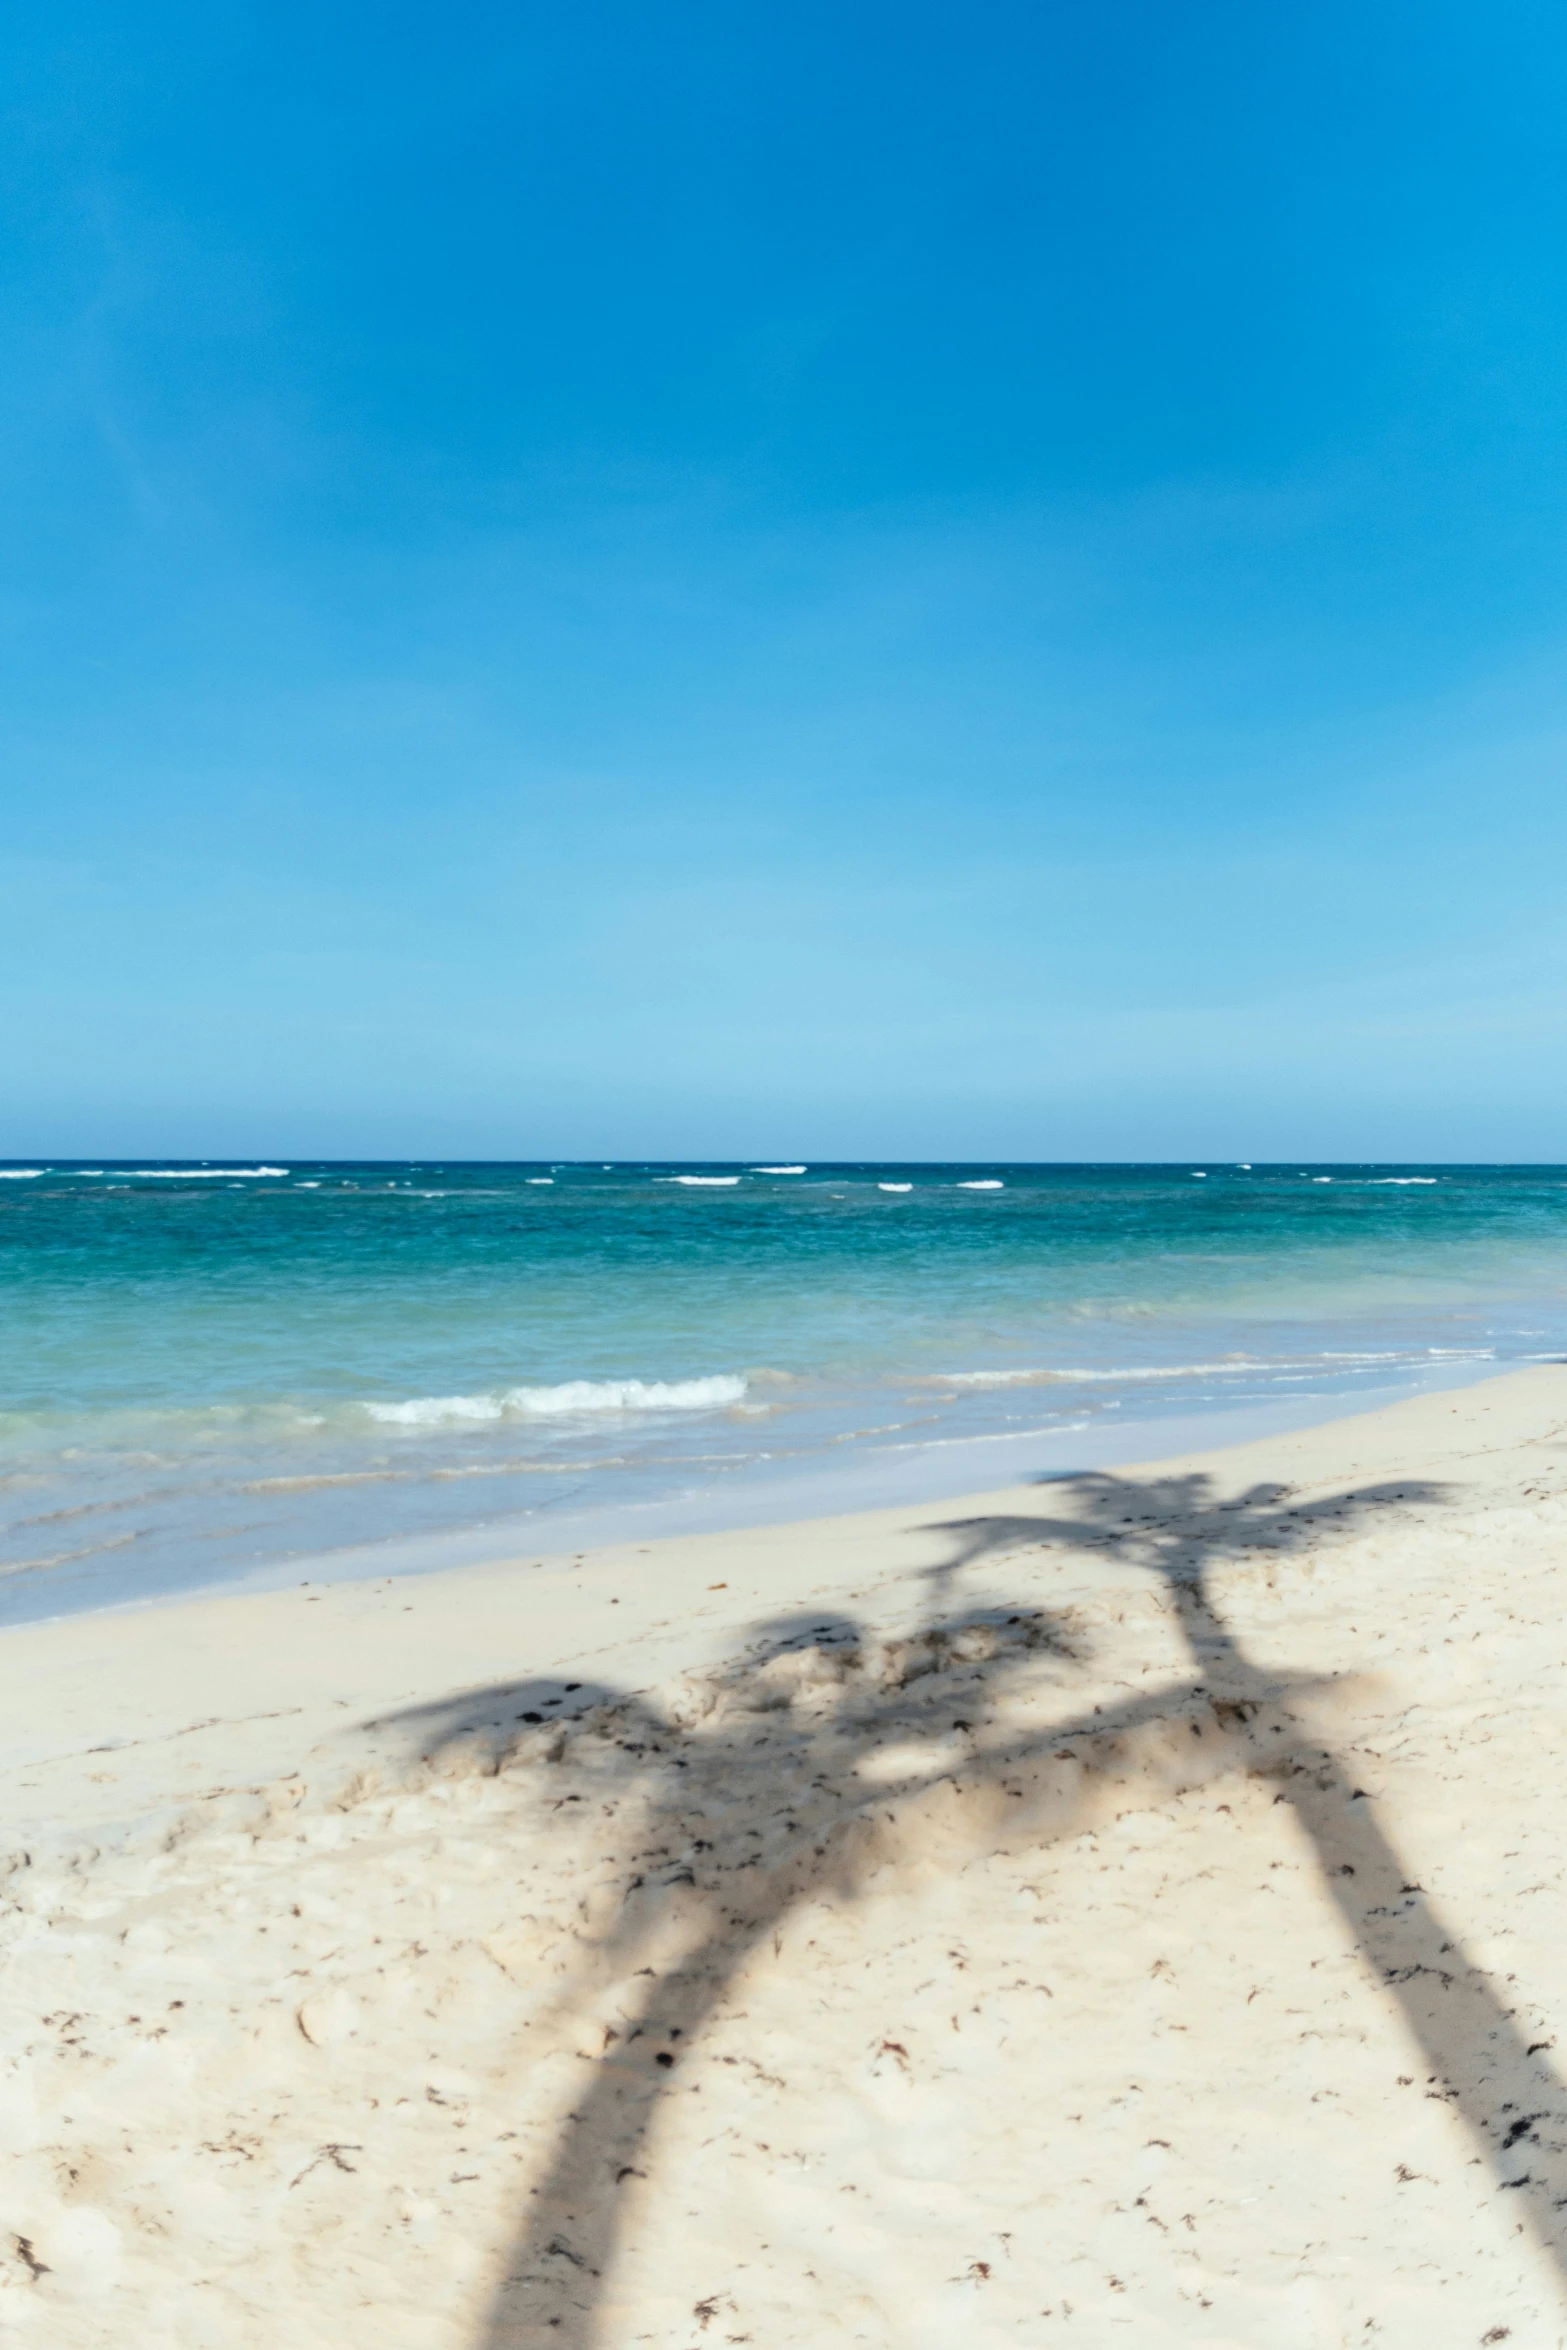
(217, 1369)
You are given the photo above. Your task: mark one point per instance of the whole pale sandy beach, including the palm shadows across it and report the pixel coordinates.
(1122, 1907)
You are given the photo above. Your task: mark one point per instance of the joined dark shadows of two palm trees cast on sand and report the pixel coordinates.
(772, 1785)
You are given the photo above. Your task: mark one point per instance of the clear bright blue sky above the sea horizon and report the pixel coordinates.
(758, 577)
